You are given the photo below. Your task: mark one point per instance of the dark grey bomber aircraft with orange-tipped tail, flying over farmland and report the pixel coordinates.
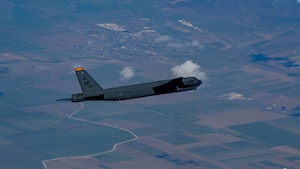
(91, 90)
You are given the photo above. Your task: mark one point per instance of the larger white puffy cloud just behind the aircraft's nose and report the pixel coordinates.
(189, 68)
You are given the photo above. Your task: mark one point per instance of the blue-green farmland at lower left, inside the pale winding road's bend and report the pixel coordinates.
(31, 138)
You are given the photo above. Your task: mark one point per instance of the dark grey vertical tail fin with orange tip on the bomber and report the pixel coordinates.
(87, 83)
